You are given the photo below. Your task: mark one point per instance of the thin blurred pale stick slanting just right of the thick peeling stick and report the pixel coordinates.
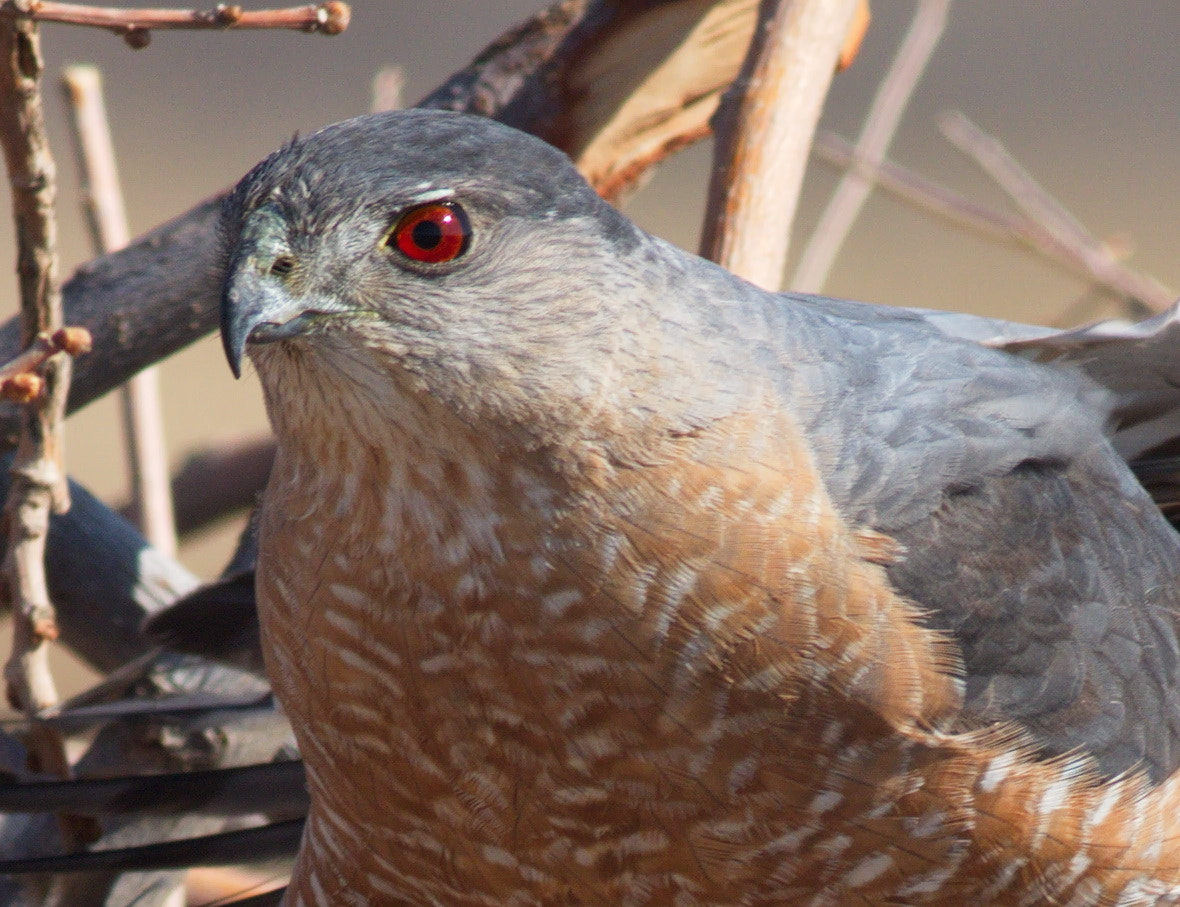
(873, 146)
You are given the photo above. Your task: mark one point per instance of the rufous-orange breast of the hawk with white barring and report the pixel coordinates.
(685, 683)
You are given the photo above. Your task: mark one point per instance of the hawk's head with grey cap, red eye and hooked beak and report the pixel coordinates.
(468, 259)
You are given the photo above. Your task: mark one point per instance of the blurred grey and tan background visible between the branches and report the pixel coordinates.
(1084, 95)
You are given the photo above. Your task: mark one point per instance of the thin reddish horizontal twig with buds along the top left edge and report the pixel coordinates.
(136, 25)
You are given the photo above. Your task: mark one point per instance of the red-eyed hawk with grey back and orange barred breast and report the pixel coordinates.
(592, 574)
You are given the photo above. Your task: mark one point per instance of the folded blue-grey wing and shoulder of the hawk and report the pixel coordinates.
(1030, 541)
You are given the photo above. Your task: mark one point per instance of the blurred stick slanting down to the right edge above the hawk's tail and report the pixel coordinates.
(1092, 254)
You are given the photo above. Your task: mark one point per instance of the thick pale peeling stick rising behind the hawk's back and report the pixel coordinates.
(764, 134)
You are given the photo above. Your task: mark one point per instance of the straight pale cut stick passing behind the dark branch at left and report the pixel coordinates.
(142, 415)
